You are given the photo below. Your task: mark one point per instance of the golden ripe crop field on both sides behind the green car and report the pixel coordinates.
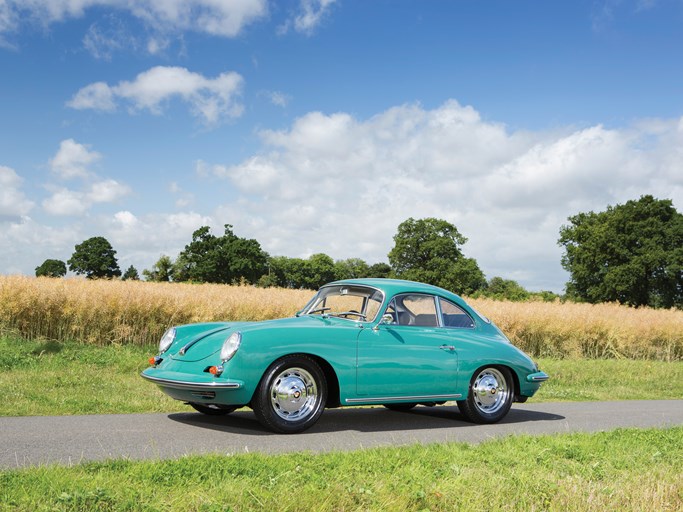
(116, 312)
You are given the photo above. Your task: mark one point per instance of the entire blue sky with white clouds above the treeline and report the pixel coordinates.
(320, 125)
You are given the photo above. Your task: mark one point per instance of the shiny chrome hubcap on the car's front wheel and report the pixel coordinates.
(293, 394)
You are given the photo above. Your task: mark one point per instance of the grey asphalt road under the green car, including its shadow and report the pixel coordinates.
(39, 440)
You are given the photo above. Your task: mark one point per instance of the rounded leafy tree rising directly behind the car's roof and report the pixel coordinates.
(428, 250)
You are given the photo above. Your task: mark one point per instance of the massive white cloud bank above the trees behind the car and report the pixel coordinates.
(336, 184)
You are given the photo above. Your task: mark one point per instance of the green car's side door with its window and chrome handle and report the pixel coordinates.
(412, 357)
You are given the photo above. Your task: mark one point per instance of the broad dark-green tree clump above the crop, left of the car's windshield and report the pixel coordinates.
(224, 259)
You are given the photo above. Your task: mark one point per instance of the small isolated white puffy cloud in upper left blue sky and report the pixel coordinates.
(209, 99)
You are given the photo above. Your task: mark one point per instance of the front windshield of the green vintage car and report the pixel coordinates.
(359, 303)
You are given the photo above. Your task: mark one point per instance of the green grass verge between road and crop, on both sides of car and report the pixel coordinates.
(49, 378)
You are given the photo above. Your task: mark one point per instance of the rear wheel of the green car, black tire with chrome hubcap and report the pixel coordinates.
(490, 395)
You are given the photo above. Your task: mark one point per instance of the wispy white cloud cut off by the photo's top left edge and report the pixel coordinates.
(222, 18)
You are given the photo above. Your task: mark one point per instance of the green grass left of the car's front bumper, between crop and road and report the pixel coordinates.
(50, 378)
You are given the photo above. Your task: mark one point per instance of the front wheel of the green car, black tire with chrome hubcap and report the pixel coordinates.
(291, 395)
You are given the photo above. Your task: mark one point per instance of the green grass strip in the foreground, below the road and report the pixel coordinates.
(627, 469)
